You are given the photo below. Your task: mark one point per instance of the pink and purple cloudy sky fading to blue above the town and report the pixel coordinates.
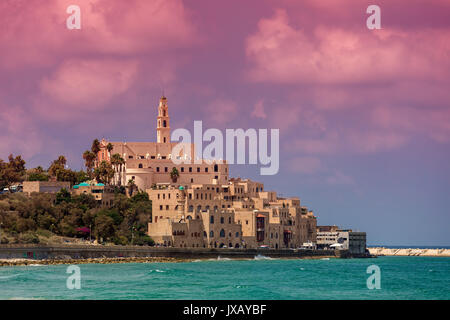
(364, 115)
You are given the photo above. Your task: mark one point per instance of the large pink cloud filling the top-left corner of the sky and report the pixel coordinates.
(34, 33)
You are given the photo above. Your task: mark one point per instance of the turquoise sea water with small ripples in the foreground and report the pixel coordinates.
(401, 278)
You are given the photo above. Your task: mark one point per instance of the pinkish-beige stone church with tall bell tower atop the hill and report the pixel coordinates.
(150, 163)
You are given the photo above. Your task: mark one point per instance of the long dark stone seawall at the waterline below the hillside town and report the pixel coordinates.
(40, 252)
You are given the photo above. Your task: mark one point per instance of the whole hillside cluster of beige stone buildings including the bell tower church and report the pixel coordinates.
(204, 207)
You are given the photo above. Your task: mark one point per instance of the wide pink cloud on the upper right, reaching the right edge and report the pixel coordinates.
(278, 52)
